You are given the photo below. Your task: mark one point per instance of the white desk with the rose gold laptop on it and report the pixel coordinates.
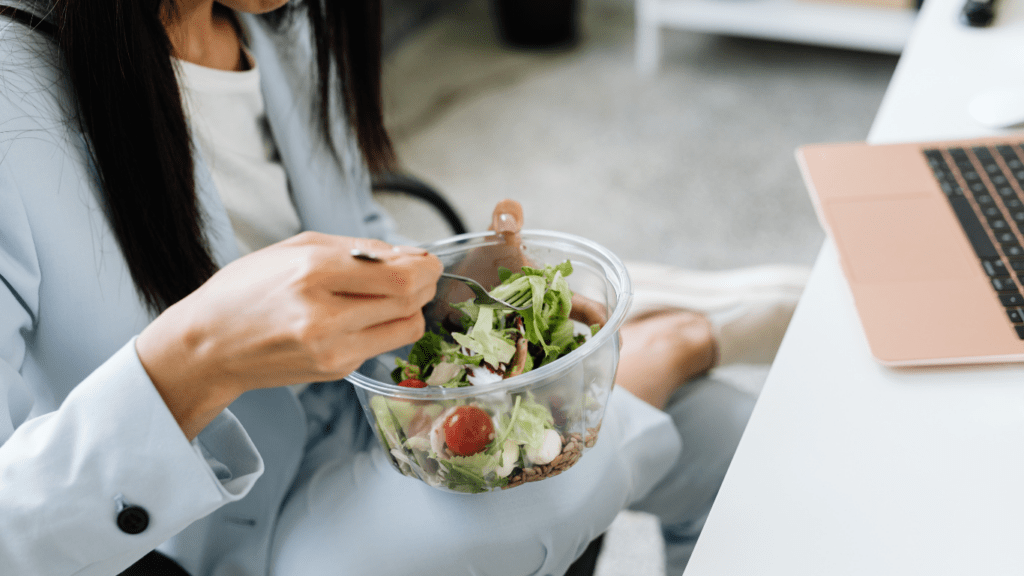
(849, 468)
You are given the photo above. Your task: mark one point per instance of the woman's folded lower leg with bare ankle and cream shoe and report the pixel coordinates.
(668, 356)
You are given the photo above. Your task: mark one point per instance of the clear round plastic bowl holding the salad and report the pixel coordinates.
(575, 389)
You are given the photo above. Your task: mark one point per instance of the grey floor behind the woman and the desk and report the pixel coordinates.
(694, 167)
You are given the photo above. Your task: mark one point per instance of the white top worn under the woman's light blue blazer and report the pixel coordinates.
(226, 111)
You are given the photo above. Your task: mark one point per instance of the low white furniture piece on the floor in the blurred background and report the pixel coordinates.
(843, 26)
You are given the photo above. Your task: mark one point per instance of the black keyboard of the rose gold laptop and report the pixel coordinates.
(984, 186)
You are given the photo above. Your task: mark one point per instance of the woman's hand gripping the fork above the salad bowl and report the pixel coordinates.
(301, 311)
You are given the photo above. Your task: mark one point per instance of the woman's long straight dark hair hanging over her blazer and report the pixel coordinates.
(130, 108)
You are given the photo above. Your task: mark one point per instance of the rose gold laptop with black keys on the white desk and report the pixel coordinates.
(930, 237)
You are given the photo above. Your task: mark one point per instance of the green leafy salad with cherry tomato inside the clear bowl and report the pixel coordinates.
(498, 440)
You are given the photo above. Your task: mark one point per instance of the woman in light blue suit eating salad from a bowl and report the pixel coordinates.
(142, 298)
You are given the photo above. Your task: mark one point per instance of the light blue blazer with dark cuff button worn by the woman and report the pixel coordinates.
(83, 434)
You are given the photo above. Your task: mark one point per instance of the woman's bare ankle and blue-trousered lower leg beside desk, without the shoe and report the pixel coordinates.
(665, 360)
